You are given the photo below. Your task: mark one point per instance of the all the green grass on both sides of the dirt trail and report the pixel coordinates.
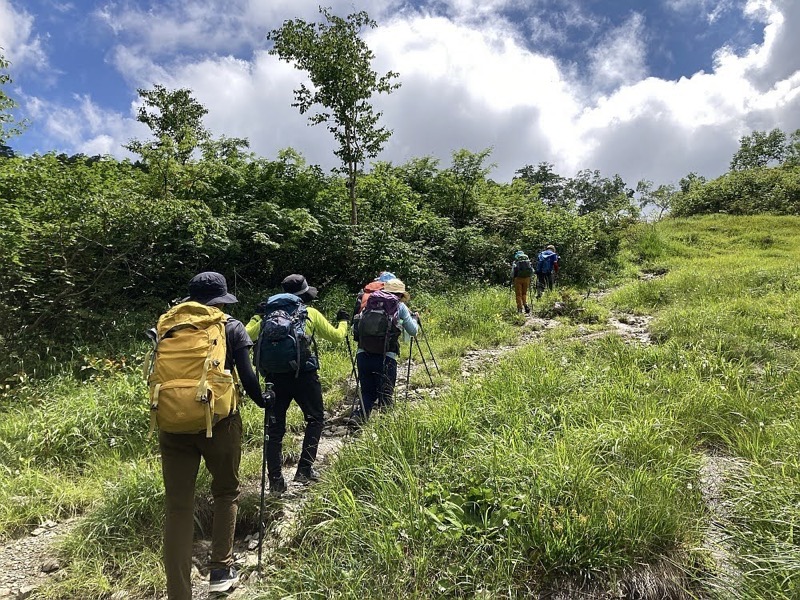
(567, 465)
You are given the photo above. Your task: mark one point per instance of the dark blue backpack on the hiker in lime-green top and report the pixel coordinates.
(283, 346)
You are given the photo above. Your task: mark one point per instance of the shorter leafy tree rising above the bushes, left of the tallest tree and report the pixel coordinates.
(176, 120)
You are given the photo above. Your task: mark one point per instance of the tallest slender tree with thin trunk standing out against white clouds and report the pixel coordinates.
(338, 63)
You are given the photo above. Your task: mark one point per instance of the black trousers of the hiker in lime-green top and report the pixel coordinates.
(307, 392)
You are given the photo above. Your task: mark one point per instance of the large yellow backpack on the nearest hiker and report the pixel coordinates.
(190, 389)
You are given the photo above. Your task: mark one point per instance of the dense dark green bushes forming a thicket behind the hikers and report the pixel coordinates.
(94, 248)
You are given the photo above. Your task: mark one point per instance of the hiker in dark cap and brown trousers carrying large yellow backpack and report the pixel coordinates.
(199, 350)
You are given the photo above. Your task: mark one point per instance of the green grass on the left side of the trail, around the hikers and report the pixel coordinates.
(72, 445)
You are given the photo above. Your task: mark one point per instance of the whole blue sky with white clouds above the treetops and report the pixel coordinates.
(647, 89)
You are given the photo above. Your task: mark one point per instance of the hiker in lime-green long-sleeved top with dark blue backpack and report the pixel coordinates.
(291, 363)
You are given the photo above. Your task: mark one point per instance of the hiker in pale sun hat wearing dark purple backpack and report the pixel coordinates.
(377, 330)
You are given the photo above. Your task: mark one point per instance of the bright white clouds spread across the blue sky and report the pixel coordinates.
(474, 86)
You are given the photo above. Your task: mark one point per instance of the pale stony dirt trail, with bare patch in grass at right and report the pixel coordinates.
(27, 562)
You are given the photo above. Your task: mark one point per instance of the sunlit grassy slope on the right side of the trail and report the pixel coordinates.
(576, 462)
